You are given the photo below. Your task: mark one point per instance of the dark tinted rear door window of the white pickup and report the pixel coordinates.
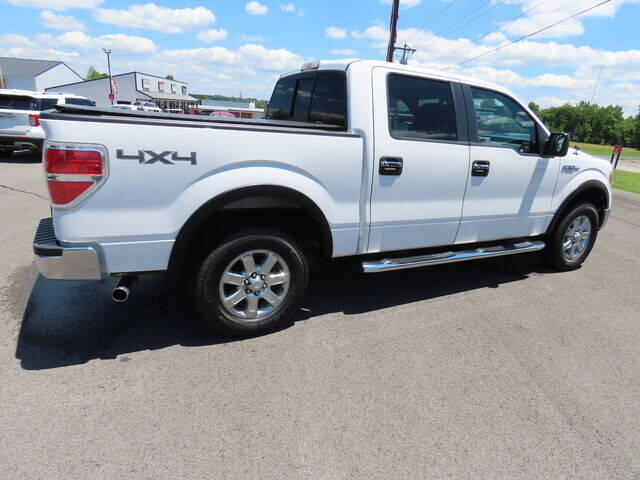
(420, 108)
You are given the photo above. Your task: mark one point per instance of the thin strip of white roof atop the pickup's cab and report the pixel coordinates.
(344, 64)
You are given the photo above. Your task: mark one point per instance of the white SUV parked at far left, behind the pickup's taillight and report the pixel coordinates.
(20, 117)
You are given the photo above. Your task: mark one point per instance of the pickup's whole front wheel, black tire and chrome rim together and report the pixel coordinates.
(573, 238)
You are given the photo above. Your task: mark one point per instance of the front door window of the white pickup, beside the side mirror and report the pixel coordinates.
(503, 122)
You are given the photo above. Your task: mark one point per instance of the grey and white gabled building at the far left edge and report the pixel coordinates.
(36, 75)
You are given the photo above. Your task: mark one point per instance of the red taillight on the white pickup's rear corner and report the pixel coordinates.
(73, 172)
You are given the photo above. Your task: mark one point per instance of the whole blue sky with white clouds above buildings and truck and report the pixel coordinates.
(238, 46)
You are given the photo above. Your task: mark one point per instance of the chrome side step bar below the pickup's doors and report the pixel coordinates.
(389, 264)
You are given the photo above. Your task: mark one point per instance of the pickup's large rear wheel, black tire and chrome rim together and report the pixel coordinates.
(253, 283)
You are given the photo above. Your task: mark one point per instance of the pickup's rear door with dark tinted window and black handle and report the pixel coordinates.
(421, 161)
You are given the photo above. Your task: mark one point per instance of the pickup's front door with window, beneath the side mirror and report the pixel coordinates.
(511, 184)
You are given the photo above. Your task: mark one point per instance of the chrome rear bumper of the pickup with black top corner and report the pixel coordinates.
(56, 262)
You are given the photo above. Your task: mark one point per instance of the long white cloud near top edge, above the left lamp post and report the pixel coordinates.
(153, 17)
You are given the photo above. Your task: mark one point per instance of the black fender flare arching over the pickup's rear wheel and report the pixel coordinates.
(215, 205)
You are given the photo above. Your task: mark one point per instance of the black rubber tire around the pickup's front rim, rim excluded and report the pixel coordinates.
(553, 253)
